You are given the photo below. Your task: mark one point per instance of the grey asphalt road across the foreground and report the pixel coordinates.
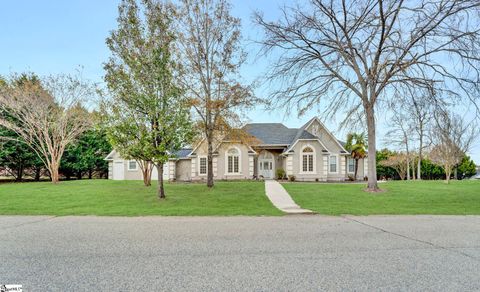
(295, 253)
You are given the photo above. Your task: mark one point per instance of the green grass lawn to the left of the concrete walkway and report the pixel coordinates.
(131, 198)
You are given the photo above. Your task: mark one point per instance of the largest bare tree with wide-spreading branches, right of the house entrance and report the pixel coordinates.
(355, 54)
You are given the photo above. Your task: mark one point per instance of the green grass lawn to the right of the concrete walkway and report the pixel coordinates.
(400, 197)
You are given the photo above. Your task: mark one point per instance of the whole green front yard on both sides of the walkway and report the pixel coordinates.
(131, 198)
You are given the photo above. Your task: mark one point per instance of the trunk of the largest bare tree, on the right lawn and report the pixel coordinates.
(372, 185)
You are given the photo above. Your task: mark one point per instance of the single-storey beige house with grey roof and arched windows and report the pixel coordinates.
(310, 153)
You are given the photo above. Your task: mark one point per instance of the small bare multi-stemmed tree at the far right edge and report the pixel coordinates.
(452, 138)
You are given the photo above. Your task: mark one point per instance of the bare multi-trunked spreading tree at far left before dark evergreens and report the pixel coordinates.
(49, 113)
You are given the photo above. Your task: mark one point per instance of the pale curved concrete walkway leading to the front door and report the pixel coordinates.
(281, 199)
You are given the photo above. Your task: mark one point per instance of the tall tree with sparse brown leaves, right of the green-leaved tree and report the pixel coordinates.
(212, 55)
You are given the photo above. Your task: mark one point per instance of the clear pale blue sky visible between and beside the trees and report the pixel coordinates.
(58, 36)
